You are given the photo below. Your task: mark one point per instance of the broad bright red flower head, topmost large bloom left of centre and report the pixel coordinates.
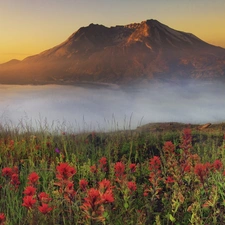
(65, 171)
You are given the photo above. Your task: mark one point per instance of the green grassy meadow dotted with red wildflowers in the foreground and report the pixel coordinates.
(114, 179)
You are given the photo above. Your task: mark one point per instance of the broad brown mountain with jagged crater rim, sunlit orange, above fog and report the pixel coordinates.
(138, 52)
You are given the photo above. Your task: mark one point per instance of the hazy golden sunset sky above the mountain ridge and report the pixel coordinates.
(28, 27)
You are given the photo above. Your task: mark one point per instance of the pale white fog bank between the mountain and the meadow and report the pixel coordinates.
(111, 107)
